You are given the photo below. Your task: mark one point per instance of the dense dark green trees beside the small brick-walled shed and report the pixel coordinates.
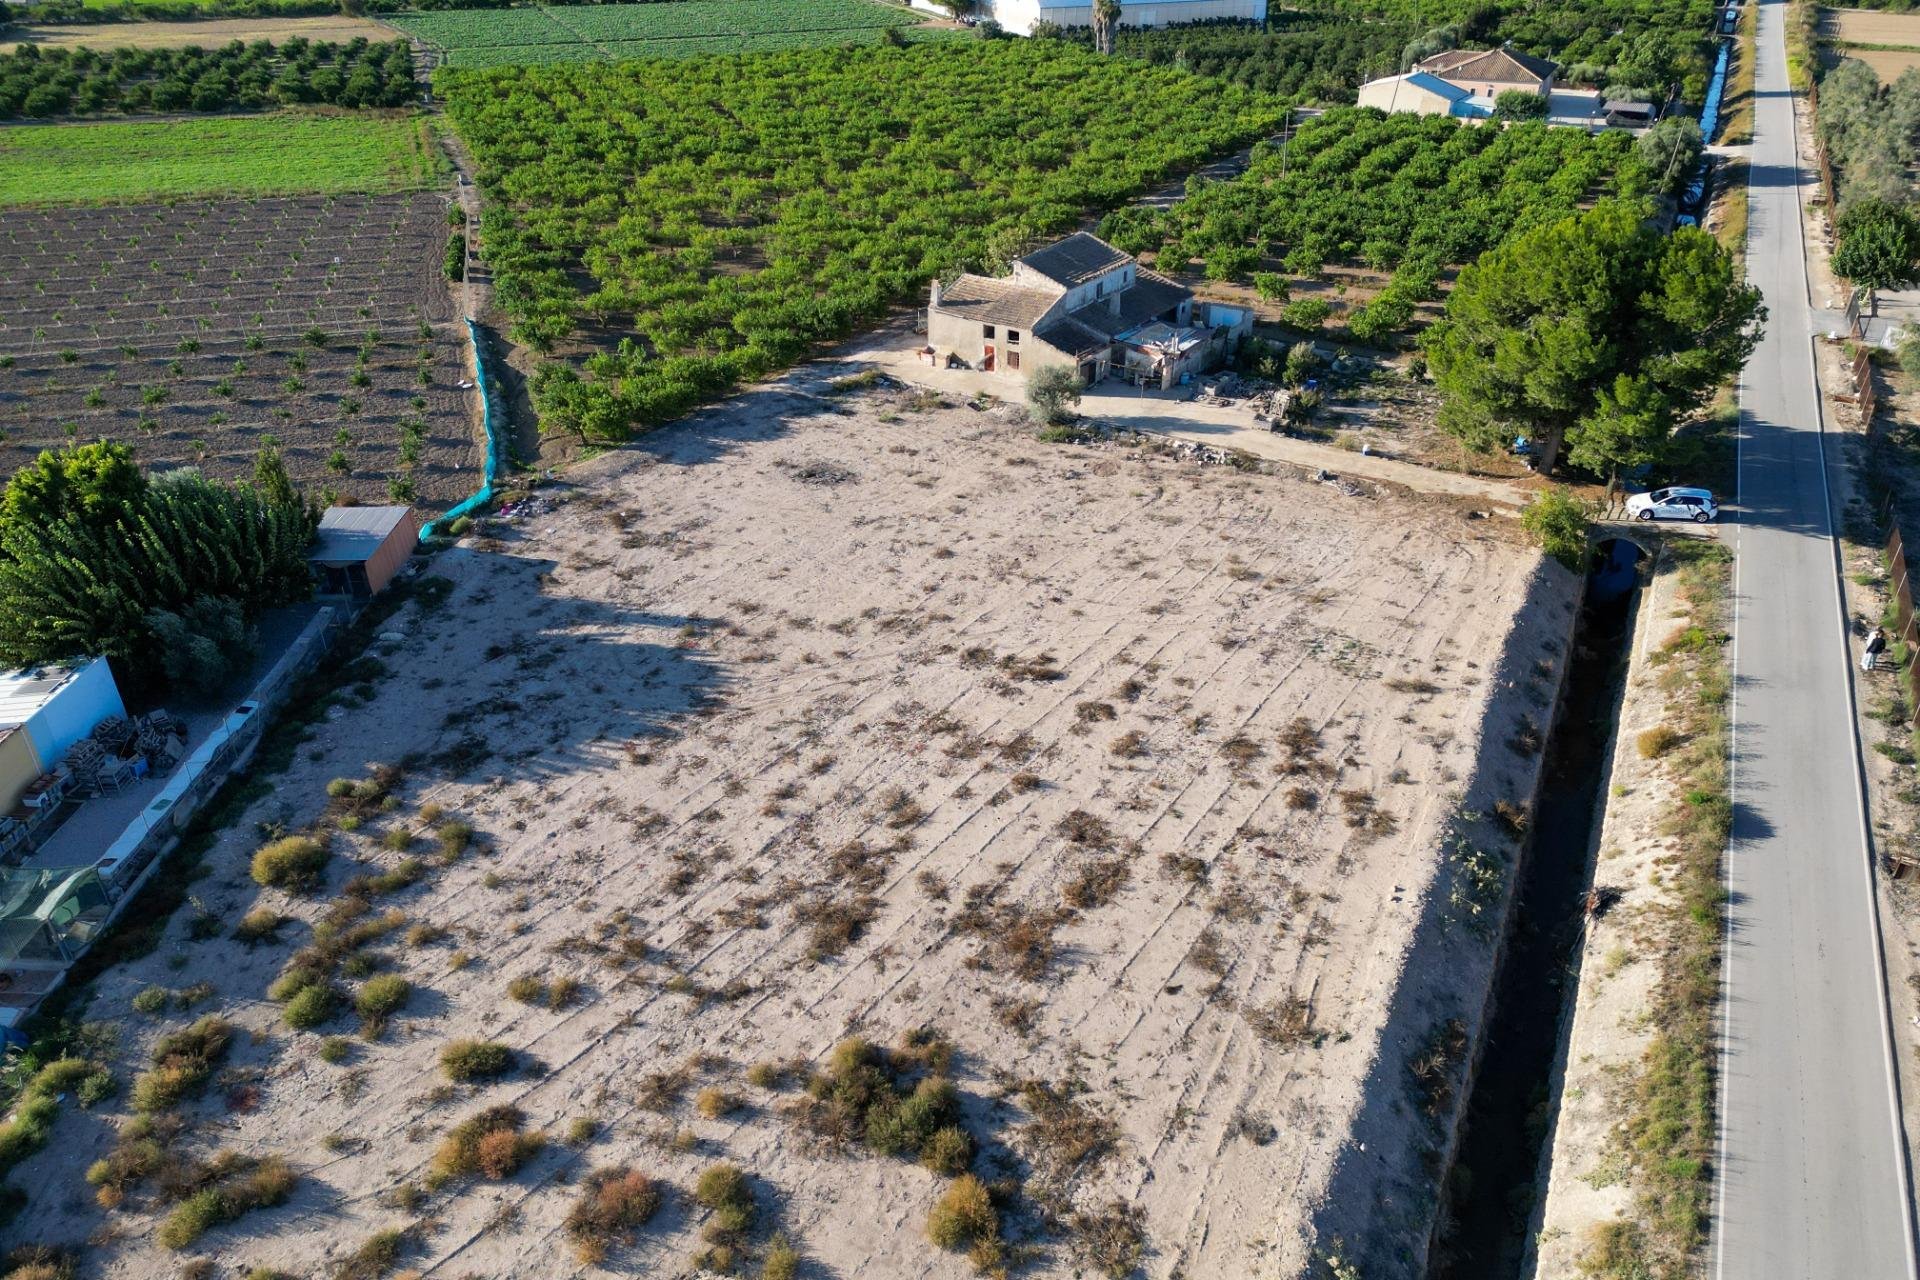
(158, 575)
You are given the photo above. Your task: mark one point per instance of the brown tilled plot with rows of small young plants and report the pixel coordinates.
(201, 331)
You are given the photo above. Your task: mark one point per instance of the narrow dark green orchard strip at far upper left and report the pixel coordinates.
(84, 82)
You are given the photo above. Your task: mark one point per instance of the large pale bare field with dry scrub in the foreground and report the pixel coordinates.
(825, 715)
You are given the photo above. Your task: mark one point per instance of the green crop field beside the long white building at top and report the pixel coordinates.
(686, 30)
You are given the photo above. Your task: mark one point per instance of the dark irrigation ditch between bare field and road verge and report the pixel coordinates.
(1495, 1177)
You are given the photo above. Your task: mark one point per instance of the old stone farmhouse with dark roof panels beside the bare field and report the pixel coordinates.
(1084, 306)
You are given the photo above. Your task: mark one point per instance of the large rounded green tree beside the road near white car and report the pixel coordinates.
(1596, 335)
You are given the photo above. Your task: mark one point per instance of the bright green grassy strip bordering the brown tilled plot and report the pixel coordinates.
(254, 156)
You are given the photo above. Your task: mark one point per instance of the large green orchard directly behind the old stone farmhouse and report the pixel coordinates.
(842, 183)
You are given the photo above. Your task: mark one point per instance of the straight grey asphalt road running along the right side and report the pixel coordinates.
(1813, 1160)
